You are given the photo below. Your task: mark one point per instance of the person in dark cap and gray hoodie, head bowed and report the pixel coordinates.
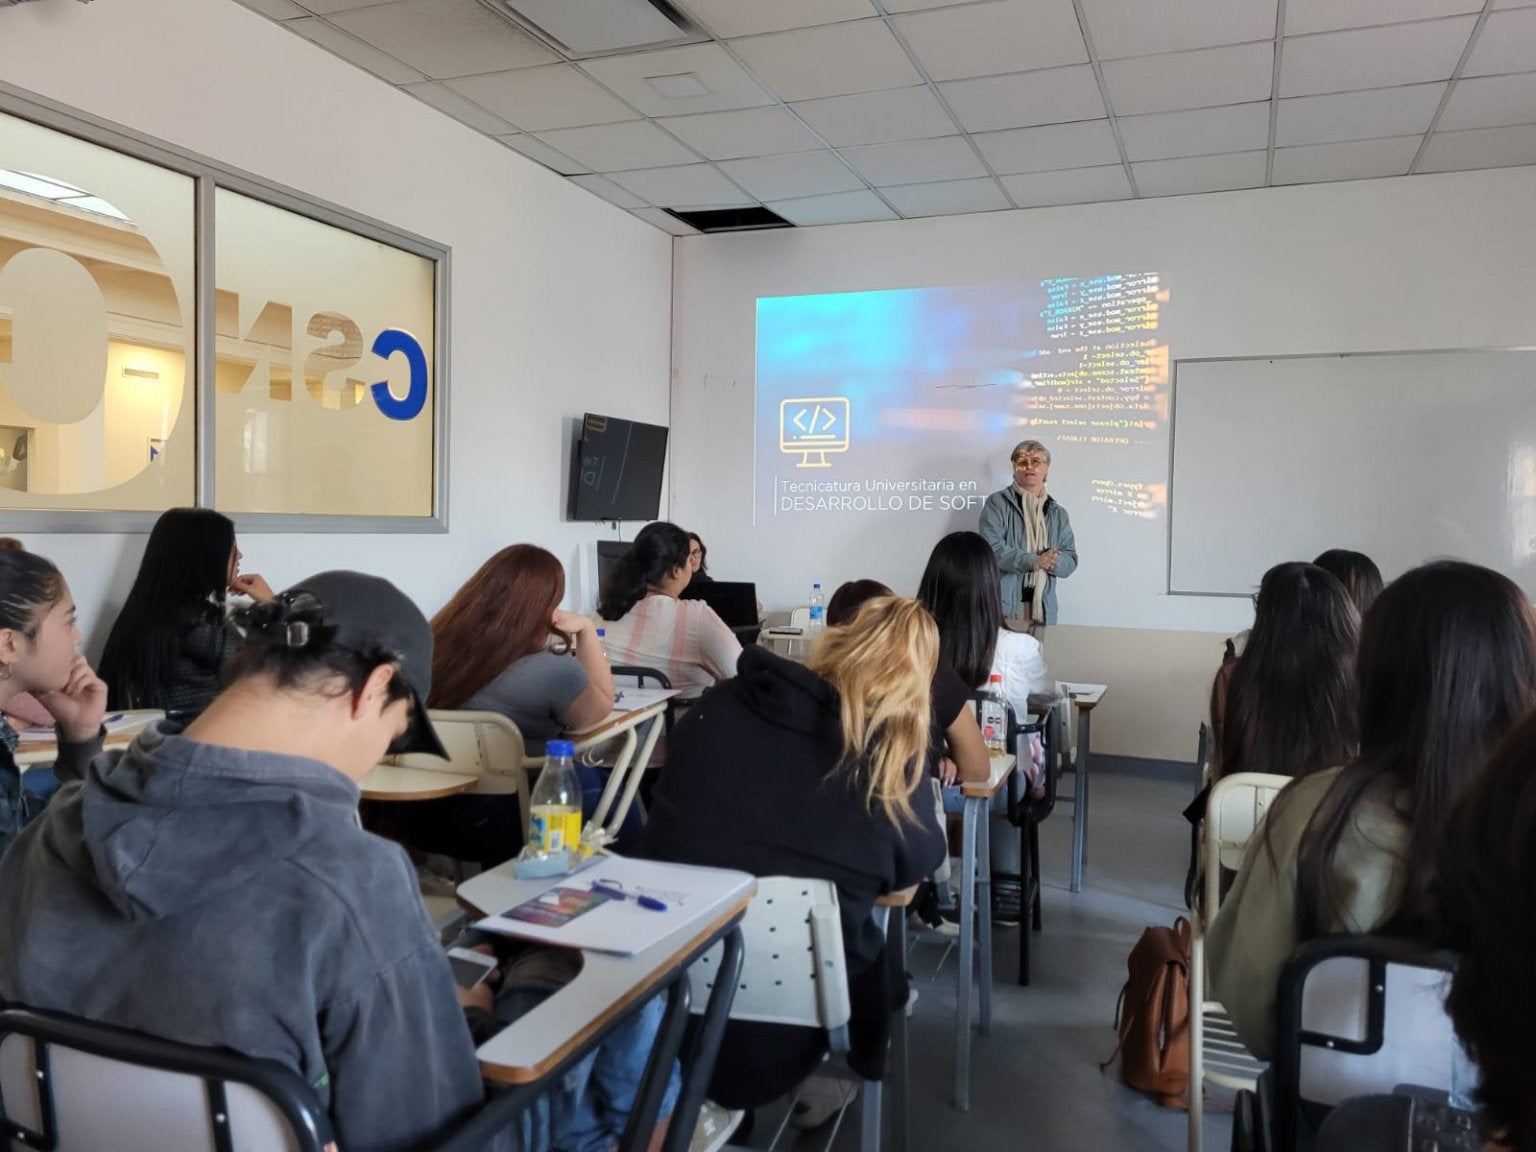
(214, 887)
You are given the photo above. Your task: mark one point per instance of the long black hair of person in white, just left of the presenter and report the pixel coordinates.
(964, 591)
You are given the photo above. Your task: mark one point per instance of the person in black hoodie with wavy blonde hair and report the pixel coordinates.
(790, 770)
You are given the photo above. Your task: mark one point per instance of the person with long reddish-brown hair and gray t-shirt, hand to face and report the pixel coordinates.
(503, 644)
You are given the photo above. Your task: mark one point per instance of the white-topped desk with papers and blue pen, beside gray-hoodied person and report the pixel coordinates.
(575, 1019)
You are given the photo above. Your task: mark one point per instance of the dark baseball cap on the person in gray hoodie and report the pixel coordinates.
(369, 612)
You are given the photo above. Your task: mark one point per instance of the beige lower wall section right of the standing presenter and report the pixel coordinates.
(1159, 686)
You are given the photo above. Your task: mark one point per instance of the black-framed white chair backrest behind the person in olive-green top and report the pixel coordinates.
(1359, 1016)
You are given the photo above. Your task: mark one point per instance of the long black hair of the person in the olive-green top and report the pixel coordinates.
(1448, 667)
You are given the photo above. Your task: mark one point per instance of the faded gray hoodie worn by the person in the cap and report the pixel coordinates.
(230, 899)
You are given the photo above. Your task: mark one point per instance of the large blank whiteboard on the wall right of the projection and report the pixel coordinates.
(1405, 457)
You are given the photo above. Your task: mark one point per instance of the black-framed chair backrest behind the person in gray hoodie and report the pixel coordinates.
(79, 1087)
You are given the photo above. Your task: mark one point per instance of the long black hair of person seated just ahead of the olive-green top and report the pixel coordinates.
(1291, 703)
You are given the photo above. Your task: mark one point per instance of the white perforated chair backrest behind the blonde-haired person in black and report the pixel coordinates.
(795, 970)
